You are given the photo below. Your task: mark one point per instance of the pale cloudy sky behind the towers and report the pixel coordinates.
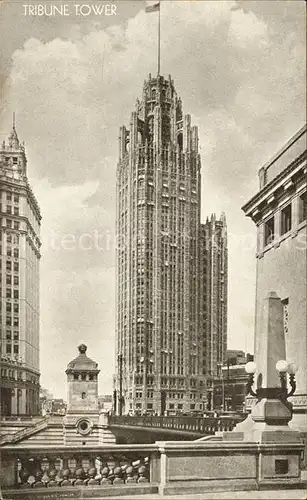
(240, 70)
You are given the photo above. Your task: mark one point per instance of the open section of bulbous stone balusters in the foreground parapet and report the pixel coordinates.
(71, 467)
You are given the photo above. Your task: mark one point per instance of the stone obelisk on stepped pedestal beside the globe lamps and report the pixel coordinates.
(280, 446)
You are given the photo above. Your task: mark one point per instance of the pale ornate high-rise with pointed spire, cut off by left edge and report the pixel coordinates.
(19, 306)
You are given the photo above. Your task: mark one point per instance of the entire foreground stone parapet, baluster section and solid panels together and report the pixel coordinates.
(174, 467)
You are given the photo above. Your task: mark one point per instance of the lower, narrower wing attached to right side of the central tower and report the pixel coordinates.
(213, 283)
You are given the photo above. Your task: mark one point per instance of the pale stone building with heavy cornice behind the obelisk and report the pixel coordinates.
(279, 211)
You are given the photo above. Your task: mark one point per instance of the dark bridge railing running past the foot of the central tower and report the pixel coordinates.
(194, 425)
